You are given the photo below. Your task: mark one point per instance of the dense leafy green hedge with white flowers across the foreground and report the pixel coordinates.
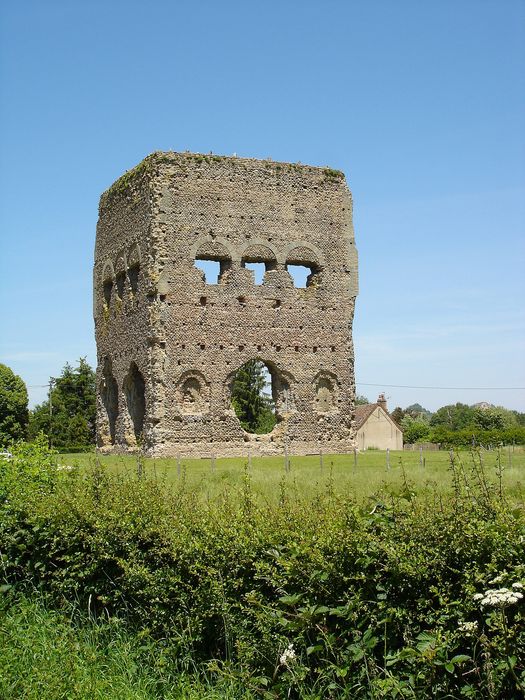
(323, 598)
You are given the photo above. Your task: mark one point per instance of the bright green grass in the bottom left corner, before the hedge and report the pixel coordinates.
(51, 655)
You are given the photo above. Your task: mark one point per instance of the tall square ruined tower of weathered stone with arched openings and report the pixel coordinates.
(169, 343)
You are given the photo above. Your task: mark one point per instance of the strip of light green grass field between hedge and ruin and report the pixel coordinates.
(368, 475)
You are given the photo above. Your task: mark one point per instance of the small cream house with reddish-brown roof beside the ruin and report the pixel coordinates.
(375, 427)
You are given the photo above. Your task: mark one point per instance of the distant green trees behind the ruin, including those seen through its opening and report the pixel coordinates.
(68, 417)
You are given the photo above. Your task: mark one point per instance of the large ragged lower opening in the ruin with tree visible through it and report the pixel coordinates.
(253, 397)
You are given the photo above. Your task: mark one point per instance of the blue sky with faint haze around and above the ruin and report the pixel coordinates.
(422, 104)
